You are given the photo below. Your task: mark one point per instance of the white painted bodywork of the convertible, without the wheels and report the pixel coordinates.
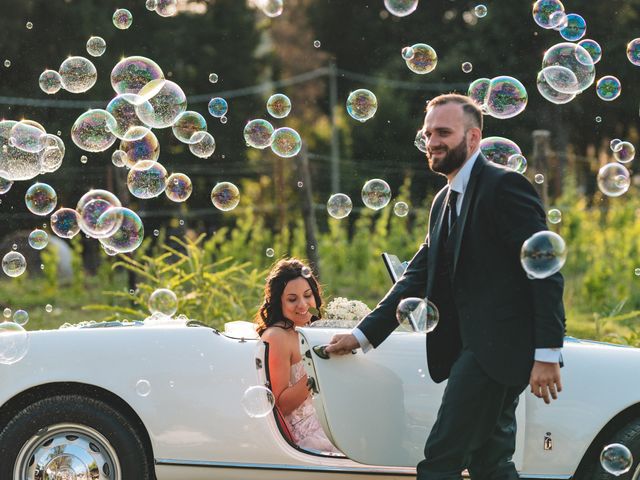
(376, 407)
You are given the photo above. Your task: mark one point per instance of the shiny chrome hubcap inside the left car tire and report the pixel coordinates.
(67, 452)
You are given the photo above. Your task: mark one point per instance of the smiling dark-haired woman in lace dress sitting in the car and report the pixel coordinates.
(290, 290)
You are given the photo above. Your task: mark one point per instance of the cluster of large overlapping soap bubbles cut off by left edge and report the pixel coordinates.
(27, 150)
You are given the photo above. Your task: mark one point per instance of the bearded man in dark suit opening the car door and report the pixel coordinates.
(498, 329)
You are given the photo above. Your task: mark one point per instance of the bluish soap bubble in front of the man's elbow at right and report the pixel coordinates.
(543, 254)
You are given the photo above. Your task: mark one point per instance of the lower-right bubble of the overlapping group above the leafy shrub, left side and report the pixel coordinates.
(127, 236)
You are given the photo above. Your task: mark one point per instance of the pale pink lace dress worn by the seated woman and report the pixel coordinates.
(303, 423)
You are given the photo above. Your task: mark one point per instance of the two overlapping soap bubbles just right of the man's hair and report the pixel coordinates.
(500, 97)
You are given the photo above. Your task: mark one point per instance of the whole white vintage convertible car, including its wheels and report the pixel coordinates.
(74, 408)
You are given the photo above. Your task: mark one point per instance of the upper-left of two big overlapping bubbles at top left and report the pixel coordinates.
(132, 73)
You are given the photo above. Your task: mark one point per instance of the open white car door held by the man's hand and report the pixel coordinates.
(379, 407)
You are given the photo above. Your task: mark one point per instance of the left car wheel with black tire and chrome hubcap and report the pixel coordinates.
(72, 436)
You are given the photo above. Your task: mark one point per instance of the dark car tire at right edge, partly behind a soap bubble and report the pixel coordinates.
(629, 435)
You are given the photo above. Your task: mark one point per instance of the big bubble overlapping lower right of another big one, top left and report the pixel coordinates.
(163, 108)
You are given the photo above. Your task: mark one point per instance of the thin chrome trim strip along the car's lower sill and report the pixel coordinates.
(409, 472)
